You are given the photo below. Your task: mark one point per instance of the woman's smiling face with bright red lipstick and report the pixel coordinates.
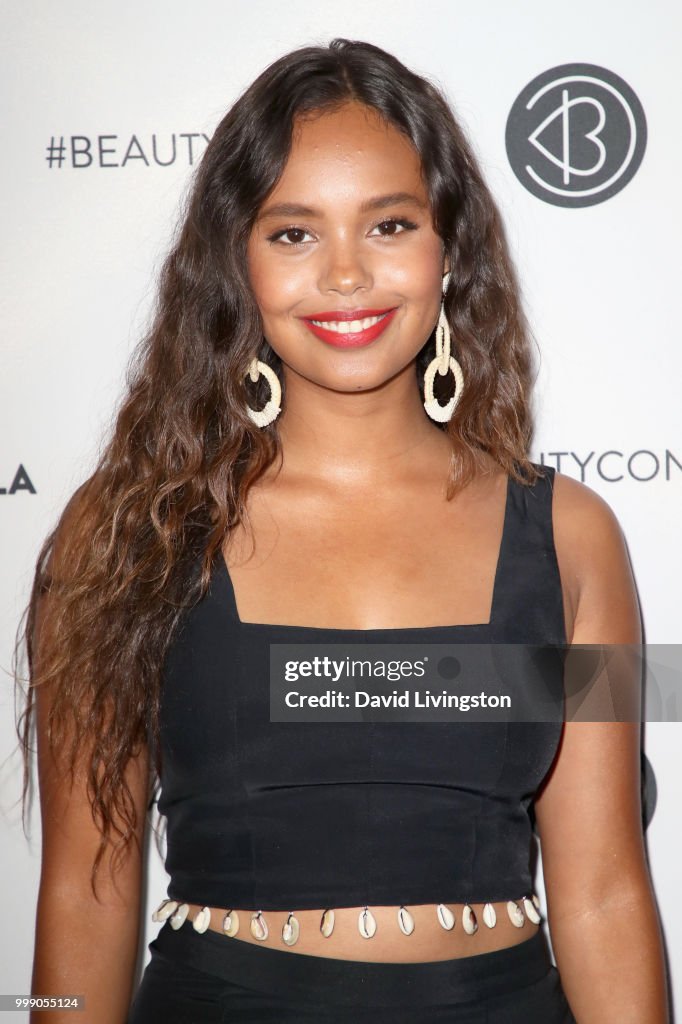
(347, 238)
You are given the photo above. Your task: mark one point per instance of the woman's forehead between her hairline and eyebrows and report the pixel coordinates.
(347, 153)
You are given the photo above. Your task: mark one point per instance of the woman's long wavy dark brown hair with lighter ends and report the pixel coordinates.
(136, 545)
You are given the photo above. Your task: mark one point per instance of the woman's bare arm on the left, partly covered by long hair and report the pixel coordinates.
(84, 947)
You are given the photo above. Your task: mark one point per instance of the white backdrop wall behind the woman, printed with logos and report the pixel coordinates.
(82, 243)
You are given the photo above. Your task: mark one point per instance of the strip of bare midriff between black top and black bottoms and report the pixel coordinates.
(429, 942)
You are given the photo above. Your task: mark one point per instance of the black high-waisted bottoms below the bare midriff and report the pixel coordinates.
(211, 979)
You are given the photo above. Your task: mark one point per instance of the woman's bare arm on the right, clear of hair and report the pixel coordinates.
(602, 911)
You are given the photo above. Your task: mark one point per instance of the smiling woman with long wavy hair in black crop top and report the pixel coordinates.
(325, 442)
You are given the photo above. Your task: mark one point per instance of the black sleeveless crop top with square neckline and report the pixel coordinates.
(282, 816)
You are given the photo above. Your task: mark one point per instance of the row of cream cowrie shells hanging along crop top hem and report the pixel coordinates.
(177, 914)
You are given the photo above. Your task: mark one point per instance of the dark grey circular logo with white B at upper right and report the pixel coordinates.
(576, 136)
